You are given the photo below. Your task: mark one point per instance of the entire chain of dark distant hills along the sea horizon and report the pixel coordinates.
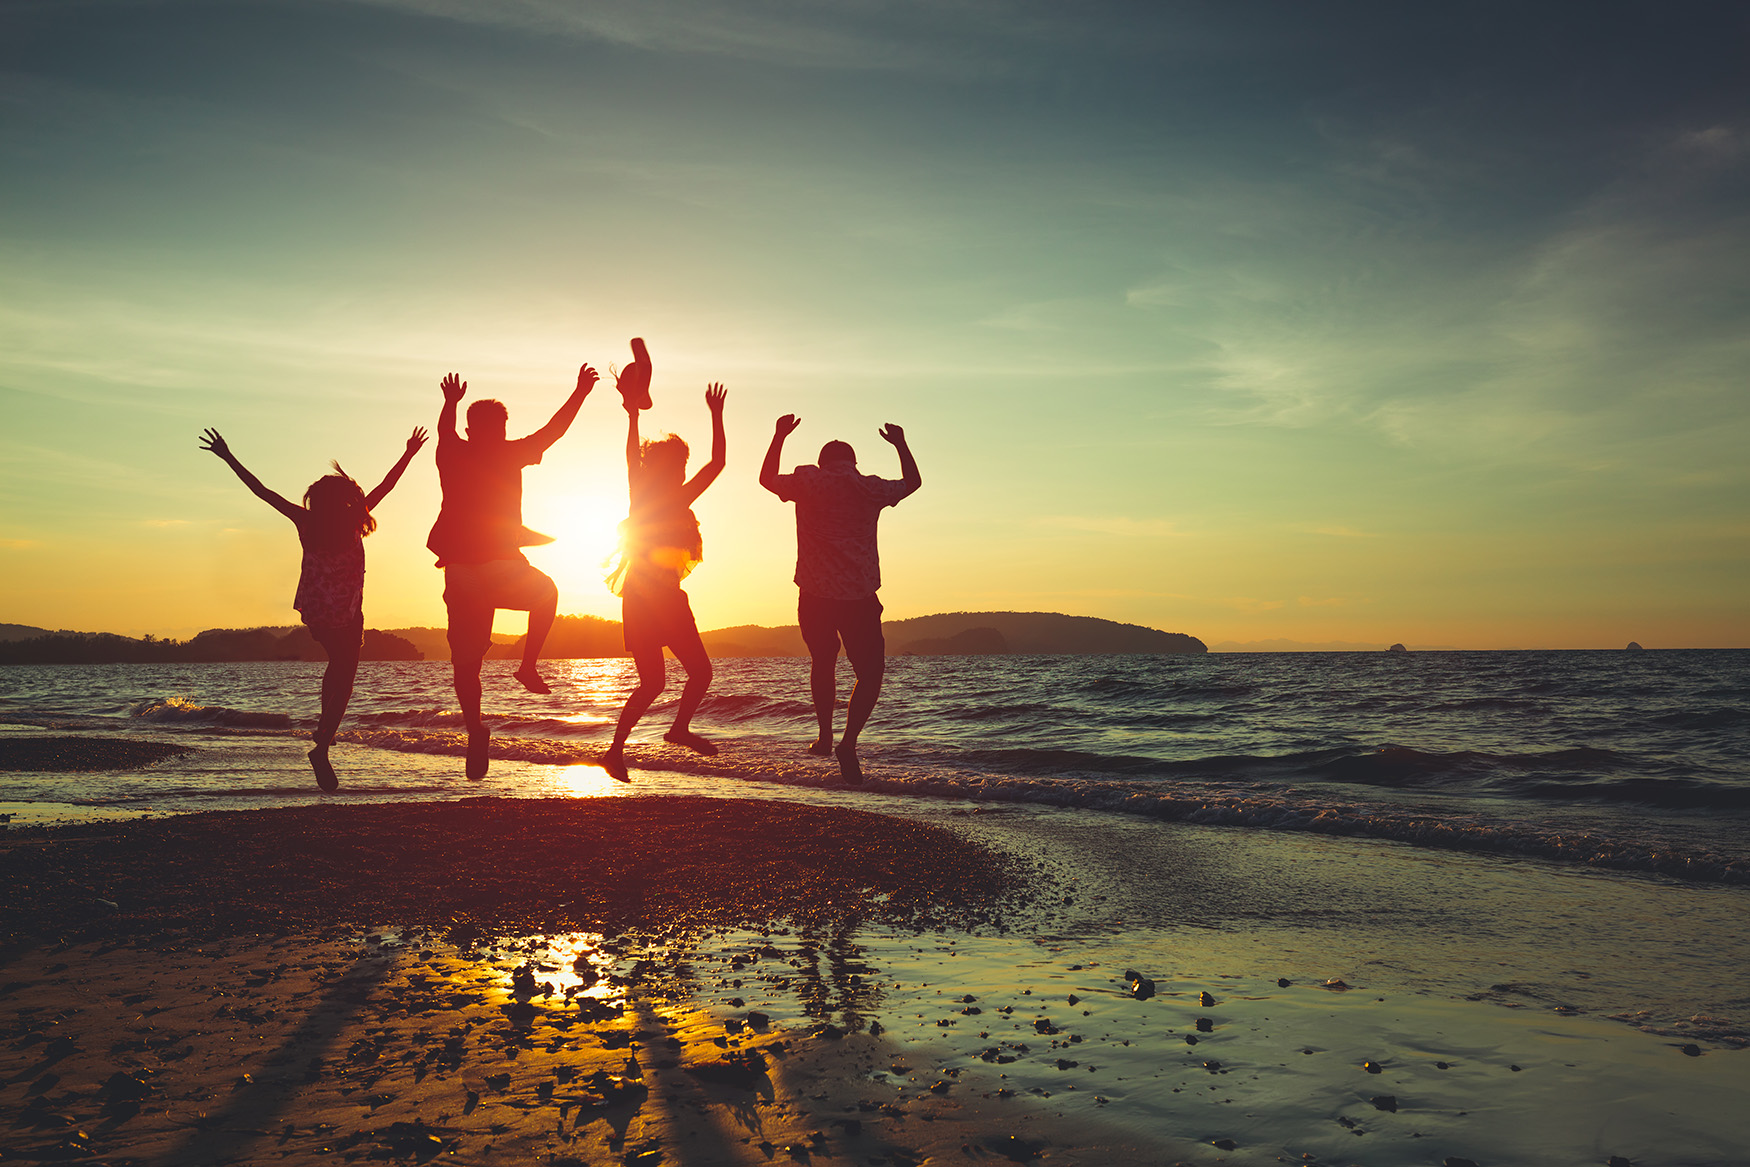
(949, 634)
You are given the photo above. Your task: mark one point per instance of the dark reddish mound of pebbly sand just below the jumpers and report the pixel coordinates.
(493, 863)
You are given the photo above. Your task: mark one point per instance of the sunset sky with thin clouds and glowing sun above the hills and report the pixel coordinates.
(1329, 323)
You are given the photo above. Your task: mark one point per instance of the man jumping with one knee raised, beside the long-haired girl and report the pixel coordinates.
(480, 538)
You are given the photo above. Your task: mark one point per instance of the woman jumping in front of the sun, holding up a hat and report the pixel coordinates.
(659, 547)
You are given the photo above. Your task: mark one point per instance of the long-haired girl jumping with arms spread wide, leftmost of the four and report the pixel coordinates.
(332, 528)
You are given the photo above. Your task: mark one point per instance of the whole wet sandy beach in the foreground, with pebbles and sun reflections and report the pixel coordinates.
(717, 981)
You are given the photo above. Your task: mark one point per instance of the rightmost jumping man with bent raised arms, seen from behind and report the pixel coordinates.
(839, 575)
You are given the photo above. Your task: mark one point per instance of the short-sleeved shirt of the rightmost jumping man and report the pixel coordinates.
(836, 528)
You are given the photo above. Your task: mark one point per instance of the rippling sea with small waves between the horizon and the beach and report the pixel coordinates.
(1634, 762)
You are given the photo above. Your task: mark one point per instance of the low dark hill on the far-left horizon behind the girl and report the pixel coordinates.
(216, 645)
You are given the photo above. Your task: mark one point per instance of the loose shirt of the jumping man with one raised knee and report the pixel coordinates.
(482, 515)
